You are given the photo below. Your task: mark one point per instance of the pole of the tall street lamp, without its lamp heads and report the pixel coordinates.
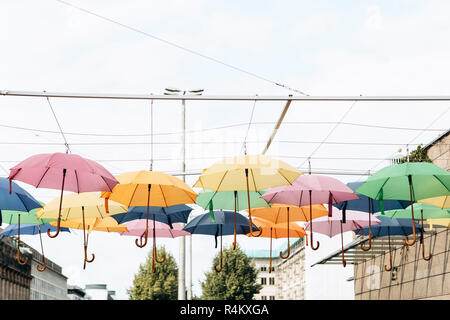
(182, 242)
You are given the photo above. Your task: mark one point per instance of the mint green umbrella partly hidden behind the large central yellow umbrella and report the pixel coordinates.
(230, 200)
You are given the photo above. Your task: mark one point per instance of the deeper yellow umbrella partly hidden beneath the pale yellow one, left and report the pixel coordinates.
(107, 224)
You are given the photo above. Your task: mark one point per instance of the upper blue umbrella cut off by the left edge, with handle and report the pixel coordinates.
(19, 201)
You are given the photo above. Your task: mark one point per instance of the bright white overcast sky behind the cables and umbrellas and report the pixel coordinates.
(320, 47)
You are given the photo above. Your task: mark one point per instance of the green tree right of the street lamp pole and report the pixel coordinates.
(236, 281)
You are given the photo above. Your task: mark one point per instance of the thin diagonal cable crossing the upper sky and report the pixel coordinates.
(182, 47)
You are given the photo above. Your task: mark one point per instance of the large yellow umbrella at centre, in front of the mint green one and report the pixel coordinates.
(247, 173)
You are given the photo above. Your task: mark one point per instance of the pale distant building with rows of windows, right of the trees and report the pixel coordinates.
(286, 281)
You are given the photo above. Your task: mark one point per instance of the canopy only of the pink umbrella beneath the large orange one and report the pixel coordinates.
(162, 230)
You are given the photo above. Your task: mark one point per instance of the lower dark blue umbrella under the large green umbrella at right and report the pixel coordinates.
(389, 227)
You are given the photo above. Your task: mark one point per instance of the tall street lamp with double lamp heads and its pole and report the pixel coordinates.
(182, 246)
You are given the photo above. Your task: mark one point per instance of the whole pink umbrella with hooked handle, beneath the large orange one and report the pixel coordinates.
(138, 228)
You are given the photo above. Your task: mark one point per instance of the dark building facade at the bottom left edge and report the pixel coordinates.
(15, 280)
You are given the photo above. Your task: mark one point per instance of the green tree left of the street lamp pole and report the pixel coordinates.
(161, 285)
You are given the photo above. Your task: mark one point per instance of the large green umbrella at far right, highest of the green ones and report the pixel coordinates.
(411, 181)
